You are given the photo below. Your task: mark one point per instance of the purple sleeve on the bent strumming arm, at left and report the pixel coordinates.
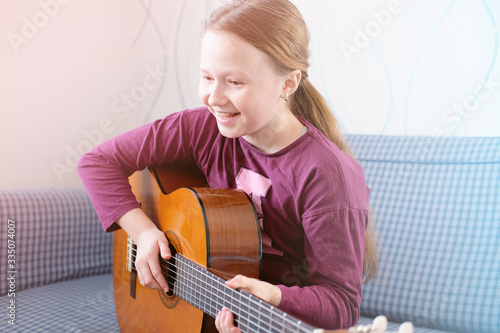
(105, 169)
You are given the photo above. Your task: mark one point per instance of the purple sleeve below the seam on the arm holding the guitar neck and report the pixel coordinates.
(334, 247)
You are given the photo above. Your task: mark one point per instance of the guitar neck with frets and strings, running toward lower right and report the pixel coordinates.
(209, 293)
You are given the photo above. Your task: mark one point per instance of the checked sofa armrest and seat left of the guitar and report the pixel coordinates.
(62, 263)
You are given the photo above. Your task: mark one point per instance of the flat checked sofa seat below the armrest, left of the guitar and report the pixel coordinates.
(77, 306)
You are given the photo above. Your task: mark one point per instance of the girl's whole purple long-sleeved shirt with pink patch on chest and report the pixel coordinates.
(311, 199)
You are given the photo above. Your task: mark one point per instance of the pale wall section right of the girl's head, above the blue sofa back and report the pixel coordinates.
(409, 67)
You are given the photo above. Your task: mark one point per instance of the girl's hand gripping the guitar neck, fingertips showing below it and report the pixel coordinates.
(264, 290)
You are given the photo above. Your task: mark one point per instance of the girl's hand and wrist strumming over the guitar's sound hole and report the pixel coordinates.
(151, 242)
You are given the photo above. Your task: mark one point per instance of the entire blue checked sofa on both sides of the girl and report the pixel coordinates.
(437, 210)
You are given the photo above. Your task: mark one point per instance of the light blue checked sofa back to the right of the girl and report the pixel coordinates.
(437, 211)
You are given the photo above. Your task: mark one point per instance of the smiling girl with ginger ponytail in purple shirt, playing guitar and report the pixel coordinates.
(266, 130)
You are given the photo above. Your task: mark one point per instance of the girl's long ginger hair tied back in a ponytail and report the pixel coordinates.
(278, 29)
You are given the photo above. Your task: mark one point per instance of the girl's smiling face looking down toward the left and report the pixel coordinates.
(242, 90)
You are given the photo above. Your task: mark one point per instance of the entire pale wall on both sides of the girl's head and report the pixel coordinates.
(74, 72)
